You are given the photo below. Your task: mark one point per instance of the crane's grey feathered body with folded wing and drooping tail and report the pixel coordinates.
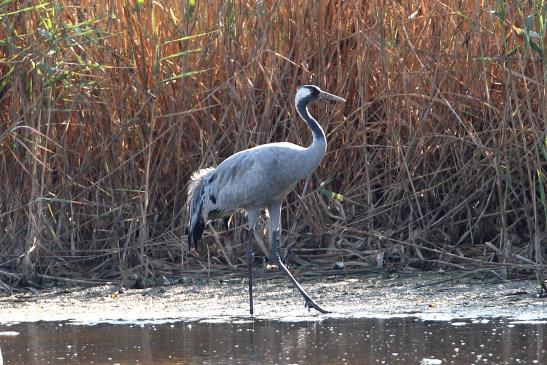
(250, 179)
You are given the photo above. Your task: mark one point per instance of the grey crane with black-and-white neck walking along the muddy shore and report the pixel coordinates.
(255, 179)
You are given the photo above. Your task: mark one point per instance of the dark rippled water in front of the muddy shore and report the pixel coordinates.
(333, 341)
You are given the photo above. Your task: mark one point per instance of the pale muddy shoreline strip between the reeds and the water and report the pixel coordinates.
(431, 296)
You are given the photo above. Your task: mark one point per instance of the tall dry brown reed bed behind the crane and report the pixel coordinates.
(437, 160)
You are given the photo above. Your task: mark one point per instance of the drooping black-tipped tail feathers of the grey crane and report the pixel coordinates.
(196, 194)
